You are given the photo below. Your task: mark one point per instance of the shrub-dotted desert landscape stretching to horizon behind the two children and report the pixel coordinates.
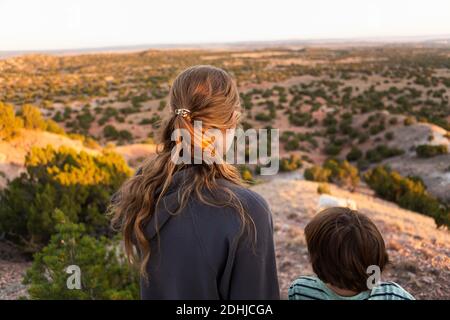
(366, 123)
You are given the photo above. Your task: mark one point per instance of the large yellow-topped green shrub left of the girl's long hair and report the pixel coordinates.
(78, 184)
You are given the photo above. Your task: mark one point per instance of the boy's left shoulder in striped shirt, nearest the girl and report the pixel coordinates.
(307, 288)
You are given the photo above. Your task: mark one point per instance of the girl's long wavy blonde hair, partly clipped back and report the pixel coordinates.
(211, 96)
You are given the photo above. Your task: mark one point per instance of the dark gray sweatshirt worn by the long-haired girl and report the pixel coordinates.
(197, 254)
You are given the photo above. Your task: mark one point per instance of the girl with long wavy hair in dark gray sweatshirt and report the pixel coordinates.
(193, 229)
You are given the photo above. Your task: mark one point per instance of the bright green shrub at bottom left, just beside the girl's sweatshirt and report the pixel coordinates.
(105, 273)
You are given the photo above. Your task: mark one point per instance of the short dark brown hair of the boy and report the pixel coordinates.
(342, 243)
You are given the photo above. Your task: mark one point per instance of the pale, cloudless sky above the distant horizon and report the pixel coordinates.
(63, 24)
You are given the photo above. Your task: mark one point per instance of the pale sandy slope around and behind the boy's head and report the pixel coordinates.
(419, 253)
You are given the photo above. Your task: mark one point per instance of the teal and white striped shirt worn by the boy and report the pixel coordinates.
(312, 288)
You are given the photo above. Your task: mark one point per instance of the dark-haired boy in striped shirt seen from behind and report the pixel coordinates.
(346, 250)
